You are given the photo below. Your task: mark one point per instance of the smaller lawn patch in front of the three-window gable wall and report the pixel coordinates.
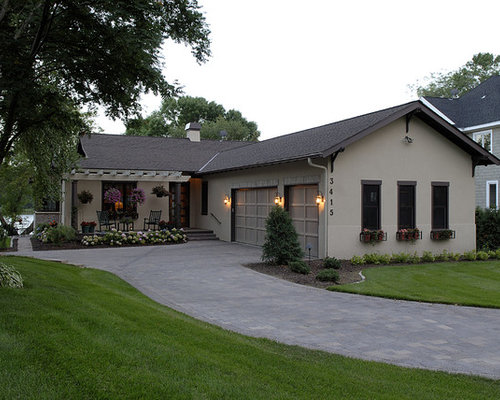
(475, 283)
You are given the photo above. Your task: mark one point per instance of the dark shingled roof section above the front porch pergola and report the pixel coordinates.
(149, 153)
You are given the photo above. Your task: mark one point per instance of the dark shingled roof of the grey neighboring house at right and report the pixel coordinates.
(478, 106)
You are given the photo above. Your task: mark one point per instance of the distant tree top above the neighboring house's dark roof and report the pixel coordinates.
(456, 83)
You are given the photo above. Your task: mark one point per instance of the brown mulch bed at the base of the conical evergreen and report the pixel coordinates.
(348, 273)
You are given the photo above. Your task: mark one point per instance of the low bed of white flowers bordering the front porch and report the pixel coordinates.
(119, 238)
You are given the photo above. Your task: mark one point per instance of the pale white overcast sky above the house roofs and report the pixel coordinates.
(293, 65)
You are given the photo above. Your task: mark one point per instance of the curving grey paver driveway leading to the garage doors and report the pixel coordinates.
(206, 281)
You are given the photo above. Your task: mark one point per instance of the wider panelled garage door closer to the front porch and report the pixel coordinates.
(250, 213)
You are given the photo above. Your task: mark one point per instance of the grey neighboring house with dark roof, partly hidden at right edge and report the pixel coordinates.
(477, 114)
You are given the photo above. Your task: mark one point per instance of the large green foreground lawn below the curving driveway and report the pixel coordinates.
(83, 333)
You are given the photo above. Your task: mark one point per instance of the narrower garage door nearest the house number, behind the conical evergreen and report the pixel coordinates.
(304, 212)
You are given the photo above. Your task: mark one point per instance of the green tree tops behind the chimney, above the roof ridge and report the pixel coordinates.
(174, 113)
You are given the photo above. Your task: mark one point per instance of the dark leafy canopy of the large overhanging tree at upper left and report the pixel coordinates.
(57, 56)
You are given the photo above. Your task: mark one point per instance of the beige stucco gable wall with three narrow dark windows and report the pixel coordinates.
(384, 156)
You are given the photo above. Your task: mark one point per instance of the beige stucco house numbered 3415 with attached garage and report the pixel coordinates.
(399, 168)
